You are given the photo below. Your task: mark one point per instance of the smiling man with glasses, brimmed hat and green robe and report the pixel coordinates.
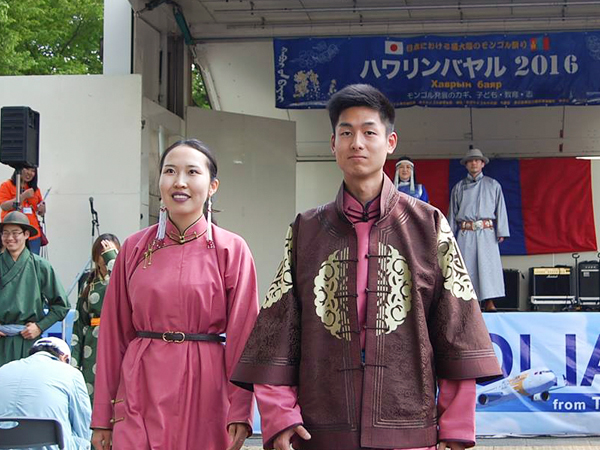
(28, 283)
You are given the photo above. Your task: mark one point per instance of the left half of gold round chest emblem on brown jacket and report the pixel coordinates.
(331, 294)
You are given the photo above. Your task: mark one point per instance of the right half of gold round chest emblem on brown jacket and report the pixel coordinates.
(394, 275)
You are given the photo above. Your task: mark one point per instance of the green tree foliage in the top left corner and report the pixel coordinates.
(50, 37)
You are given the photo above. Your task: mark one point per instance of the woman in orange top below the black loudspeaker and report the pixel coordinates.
(32, 203)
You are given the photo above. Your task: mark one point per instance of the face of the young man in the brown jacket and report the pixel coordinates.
(361, 143)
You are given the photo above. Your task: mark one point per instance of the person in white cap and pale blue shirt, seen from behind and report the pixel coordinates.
(44, 385)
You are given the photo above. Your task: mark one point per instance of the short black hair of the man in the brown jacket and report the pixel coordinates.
(361, 95)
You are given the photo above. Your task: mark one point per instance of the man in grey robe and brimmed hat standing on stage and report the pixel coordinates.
(478, 218)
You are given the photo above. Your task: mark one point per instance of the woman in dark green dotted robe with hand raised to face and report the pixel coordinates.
(89, 306)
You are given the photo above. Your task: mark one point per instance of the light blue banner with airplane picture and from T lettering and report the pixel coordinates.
(551, 363)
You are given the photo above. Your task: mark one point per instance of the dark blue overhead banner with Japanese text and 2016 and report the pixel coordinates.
(444, 71)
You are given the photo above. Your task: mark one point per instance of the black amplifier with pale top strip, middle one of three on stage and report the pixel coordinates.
(551, 285)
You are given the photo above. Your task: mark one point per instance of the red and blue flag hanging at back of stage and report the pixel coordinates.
(549, 200)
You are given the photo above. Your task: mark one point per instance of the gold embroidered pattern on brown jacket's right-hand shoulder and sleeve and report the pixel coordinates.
(454, 270)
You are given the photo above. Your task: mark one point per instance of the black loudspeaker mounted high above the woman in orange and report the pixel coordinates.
(19, 136)
